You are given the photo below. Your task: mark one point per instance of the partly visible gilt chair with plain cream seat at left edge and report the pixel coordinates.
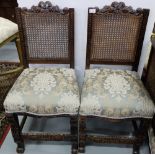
(9, 71)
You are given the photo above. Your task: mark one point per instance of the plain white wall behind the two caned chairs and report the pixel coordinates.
(81, 8)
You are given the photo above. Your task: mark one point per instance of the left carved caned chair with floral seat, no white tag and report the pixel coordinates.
(47, 37)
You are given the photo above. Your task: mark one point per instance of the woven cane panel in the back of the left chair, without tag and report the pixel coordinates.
(47, 35)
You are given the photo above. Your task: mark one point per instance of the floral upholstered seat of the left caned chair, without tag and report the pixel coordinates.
(44, 91)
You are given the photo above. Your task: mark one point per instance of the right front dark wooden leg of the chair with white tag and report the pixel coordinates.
(140, 133)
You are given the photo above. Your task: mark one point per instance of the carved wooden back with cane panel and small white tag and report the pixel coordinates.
(115, 35)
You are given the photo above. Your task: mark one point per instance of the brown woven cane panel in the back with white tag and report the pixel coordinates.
(115, 37)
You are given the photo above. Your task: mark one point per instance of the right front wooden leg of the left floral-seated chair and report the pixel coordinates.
(74, 133)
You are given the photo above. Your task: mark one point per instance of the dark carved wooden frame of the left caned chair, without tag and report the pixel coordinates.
(17, 127)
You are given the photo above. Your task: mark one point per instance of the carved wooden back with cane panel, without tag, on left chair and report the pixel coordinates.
(46, 34)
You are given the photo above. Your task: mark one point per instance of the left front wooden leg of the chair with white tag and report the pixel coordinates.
(82, 134)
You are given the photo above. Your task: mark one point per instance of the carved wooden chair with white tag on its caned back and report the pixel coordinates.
(115, 37)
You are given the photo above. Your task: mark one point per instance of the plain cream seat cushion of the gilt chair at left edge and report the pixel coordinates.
(7, 29)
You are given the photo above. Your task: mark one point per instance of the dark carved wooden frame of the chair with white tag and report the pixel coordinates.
(140, 131)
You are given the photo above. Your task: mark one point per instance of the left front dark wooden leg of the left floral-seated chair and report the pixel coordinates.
(16, 132)
